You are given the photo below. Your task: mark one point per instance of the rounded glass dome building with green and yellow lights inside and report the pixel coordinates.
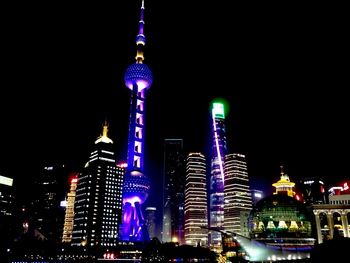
(282, 221)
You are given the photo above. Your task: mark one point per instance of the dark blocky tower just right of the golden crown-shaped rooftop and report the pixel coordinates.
(313, 191)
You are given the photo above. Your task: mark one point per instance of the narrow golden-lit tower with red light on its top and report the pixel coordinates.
(69, 216)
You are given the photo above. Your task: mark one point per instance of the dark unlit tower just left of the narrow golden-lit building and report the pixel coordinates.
(47, 216)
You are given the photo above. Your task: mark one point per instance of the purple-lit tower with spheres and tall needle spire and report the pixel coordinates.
(138, 78)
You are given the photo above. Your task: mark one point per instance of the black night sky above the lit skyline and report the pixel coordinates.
(281, 68)
